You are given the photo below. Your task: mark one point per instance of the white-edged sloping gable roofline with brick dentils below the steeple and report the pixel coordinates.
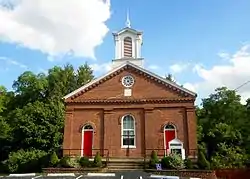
(158, 78)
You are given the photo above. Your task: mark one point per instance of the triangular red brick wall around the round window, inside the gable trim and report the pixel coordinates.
(143, 88)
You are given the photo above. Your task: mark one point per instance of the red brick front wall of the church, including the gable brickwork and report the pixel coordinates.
(150, 118)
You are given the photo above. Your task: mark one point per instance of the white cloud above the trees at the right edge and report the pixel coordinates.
(232, 75)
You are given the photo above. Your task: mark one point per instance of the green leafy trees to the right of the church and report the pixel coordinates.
(223, 130)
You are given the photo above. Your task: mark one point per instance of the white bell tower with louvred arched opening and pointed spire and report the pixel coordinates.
(128, 43)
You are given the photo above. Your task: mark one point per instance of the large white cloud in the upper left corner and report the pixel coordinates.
(55, 28)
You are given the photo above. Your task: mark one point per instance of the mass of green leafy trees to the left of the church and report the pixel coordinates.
(32, 116)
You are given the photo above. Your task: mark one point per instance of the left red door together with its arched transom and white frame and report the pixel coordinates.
(87, 140)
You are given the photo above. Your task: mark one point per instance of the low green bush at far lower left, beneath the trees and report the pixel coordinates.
(26, 161)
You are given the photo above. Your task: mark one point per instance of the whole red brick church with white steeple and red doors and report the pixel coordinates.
(130, 111)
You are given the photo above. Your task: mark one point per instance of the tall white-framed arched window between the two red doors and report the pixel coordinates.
(128, 132)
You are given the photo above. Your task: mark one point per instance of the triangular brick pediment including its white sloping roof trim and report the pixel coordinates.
(168, 89)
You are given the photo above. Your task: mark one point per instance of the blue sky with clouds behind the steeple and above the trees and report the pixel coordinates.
(200, 42)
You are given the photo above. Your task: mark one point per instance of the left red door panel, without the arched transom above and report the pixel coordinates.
(87, 143)
